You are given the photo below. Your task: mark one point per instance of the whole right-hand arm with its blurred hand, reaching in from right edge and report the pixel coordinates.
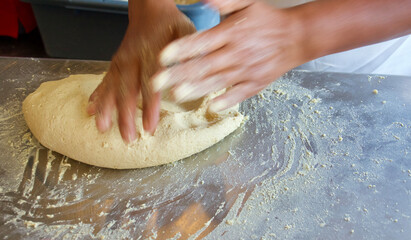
(256, 44)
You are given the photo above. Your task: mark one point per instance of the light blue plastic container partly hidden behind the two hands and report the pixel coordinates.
(202, 15)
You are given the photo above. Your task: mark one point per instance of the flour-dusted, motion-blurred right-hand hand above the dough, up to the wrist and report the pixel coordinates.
(252, 47)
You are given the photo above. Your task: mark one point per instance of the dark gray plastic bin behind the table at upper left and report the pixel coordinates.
(82, 29)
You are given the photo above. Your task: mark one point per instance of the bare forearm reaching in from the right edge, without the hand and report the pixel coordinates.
(330, 26)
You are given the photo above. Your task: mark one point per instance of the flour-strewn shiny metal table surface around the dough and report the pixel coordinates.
(322, 156)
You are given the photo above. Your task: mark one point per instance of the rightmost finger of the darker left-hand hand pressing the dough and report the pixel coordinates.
(151, 111)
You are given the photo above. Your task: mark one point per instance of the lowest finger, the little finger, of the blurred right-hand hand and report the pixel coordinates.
(234, 95)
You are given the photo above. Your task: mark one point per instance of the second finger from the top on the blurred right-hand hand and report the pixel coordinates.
(195, 70)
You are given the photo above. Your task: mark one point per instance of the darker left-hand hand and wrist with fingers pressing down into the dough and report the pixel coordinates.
(152, 26)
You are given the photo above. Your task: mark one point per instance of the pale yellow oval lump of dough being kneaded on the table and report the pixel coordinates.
(56, 115)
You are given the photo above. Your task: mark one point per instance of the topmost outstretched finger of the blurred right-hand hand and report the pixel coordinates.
(193, 46)
